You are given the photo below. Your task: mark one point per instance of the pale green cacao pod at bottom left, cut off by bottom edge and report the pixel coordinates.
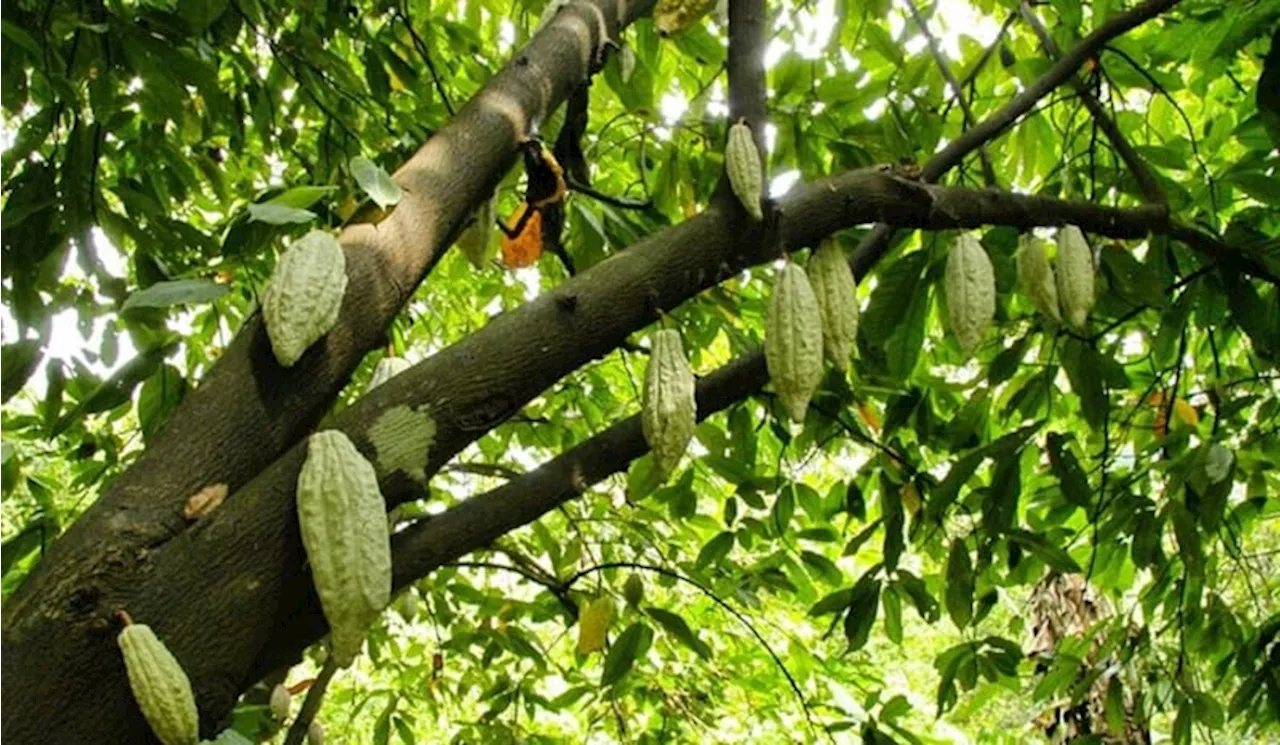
(161, 687)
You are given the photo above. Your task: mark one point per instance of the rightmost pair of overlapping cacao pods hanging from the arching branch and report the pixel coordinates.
(1063, 290)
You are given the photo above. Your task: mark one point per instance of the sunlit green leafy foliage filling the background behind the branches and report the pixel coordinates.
(156, 156)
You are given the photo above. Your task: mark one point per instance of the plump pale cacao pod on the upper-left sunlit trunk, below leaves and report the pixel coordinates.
(304, 296)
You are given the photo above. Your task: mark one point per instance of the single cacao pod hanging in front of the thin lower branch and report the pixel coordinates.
(669, 413)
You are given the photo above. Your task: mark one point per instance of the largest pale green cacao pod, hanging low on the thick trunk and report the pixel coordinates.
(344, 523)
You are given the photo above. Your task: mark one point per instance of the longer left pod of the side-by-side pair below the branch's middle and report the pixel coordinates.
(793, 341)
